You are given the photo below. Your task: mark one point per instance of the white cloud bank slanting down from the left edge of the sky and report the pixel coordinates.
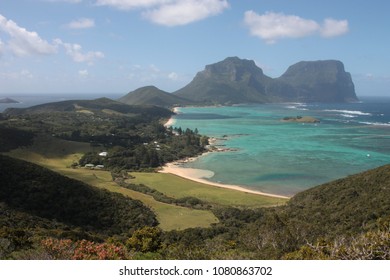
(23, 42)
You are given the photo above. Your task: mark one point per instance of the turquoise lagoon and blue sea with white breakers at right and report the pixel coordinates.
(285, 158)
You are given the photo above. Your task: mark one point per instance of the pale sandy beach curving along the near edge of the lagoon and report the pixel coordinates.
(201, 175)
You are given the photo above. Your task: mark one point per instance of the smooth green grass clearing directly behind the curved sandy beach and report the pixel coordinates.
(177, 187)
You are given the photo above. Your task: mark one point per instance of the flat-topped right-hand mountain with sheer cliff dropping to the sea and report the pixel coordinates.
(320, 81)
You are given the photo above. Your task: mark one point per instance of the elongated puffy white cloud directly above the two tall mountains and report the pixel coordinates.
(273, 26)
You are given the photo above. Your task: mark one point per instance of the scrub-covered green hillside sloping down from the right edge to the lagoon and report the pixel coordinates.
(345, 206)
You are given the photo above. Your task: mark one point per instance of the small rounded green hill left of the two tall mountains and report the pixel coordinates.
(151, 95)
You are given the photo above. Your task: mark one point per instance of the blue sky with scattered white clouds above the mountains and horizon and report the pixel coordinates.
(116, 46)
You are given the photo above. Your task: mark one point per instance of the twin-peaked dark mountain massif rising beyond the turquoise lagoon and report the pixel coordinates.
(236, 80)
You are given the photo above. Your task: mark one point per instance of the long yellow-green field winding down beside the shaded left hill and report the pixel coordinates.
(59, 159)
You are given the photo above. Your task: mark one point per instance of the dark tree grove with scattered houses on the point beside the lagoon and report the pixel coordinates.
(155, 147)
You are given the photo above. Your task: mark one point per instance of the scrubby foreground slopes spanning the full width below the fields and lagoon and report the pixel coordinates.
(344, 219)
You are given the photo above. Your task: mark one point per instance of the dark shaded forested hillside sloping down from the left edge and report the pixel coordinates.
(47, 196)
